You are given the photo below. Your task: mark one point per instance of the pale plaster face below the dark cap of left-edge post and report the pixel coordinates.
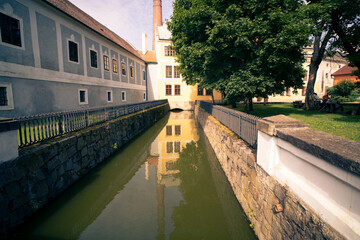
(8, 145)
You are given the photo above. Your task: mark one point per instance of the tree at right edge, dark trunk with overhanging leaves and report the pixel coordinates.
(336, 25)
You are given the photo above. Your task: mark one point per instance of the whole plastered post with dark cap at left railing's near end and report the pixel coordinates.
(9, 148)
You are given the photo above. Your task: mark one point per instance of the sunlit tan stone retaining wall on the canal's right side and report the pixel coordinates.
(257, 192)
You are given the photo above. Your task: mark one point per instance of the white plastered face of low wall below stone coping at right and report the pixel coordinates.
(331, 191)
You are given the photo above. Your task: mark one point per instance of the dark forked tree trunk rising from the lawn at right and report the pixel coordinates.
(318, 54)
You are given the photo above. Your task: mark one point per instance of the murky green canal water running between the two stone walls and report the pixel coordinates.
(166, 184)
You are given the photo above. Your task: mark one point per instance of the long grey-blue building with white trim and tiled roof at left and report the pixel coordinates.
(55, 57)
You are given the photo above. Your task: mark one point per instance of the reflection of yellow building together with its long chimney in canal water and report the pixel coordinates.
(164, 153)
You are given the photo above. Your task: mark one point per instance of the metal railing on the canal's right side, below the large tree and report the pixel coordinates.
(244, 125)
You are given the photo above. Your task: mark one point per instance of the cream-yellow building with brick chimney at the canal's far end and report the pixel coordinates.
(165, 81)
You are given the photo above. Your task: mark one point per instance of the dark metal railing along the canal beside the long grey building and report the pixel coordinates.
(34, 129)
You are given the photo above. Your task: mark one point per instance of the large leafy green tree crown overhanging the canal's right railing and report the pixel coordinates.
(244, 49)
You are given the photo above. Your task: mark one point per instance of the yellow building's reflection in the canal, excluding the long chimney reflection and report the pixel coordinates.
(165, 150)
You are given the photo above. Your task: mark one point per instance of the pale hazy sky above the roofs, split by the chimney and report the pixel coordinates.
(127, 18)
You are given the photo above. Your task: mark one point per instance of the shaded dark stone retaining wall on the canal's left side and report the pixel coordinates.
(43, 171)
